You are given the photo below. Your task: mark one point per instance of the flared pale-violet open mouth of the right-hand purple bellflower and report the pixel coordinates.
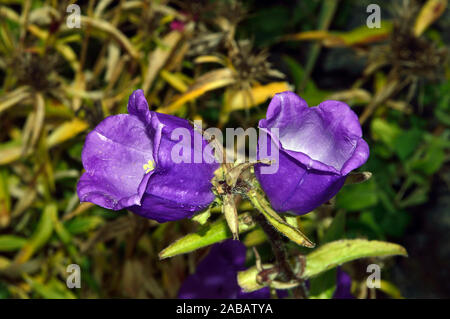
(323, 137)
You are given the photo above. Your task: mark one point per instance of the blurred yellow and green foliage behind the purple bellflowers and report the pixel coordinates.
(219, 61)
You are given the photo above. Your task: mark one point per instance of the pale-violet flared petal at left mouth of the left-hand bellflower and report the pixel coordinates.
(113, 156)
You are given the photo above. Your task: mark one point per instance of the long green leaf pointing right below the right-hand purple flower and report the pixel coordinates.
(338, 252)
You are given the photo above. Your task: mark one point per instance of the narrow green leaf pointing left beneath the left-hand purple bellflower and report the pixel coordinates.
(206, 236)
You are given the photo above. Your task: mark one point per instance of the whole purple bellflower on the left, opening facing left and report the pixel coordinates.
(128, 164)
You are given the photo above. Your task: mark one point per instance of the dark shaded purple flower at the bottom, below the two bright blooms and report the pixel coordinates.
(216, 275)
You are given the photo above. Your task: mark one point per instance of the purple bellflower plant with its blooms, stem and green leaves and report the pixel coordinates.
(165, 168)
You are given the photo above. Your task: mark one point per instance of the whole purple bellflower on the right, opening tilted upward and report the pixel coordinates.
(318, 147)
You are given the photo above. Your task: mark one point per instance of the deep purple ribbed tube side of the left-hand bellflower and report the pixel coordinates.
(177, 190)
